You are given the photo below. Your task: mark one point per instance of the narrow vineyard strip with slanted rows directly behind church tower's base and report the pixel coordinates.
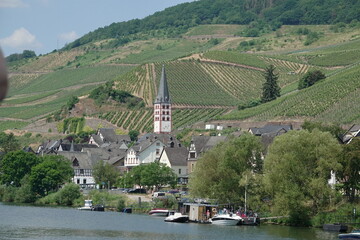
(142, 120)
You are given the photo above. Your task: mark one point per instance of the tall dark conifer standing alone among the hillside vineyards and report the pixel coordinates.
(271, 89)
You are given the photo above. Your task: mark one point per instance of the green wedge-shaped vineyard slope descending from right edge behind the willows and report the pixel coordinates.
(310, 102)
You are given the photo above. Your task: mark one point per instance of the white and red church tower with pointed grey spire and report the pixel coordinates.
(162, 107)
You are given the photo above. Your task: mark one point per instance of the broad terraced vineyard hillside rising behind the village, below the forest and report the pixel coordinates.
(211, 68)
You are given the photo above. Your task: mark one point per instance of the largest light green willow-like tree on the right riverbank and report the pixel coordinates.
(296, 172)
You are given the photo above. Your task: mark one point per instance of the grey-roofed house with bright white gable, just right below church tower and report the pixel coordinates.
(176, 159)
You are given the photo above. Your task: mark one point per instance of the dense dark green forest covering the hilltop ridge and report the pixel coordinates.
(260, 15)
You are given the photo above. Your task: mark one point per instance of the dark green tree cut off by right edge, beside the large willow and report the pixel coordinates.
(351, 167)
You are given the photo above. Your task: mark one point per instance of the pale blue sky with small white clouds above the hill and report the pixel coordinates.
(45, 25)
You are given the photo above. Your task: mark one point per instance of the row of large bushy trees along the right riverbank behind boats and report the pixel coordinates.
(291, 180)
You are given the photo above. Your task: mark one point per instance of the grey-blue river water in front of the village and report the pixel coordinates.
(29, 222)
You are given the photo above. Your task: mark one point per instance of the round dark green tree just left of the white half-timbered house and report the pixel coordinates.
(49, 174)
